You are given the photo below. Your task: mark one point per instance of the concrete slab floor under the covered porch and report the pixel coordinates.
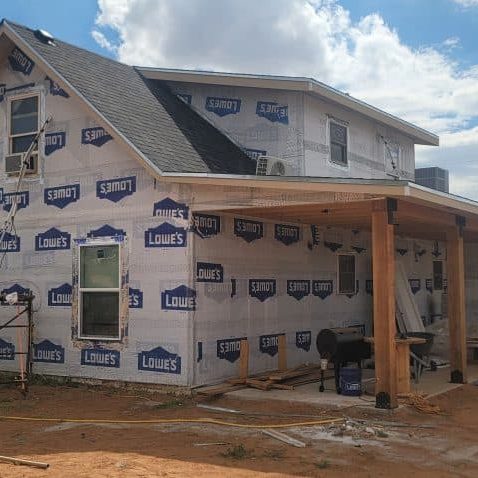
(431, 383)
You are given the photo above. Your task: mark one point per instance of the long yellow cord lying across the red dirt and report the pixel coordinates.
(166, 421)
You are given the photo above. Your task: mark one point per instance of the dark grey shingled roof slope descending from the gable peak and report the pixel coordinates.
(162, 129)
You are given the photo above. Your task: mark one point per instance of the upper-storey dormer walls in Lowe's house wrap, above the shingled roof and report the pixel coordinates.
(302, 136)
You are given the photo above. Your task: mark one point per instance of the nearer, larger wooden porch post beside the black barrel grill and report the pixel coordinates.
(383, 262)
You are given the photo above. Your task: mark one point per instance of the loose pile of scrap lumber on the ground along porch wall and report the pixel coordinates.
(281, 380)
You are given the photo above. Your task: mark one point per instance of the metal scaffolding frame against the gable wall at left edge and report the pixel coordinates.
(24, 309)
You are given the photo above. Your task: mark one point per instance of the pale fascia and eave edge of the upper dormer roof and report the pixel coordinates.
(307, 85)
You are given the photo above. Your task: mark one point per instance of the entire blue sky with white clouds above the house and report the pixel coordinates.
(416, 59)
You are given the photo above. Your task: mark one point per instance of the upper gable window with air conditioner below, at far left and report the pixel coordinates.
(23, 126)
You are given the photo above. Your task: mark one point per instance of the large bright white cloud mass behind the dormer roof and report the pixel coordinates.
(315, 38)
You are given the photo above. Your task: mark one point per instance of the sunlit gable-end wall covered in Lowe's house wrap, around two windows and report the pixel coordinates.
(82, 157)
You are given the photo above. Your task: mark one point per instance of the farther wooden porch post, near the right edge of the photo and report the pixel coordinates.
(456, 302)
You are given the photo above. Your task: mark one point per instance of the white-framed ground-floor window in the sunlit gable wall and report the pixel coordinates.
(99, 291)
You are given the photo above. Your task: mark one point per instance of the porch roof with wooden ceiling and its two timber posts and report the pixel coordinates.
(424, 214)
